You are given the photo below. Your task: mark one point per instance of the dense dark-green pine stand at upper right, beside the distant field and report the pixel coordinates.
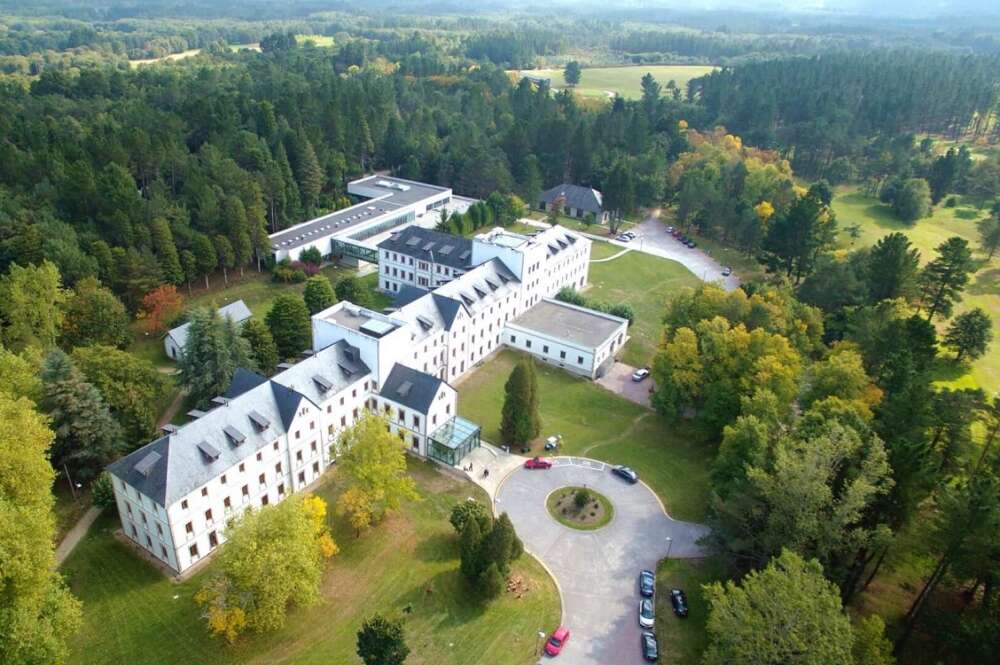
(825, 107)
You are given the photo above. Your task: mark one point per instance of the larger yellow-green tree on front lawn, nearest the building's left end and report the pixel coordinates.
(273, 559)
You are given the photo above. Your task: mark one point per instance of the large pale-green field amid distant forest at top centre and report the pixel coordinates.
(599, 81)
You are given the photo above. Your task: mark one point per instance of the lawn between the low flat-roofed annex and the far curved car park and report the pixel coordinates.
(646, 283)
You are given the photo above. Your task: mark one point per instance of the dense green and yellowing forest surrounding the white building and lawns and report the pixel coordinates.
(814, 384)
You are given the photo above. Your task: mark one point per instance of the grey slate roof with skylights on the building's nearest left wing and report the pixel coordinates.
(183, 465)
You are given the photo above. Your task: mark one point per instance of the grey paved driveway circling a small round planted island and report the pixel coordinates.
(597, 571)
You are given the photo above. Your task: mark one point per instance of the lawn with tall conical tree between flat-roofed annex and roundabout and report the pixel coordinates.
(673, 459)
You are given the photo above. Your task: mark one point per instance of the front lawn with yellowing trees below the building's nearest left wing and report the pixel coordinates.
(132, 614)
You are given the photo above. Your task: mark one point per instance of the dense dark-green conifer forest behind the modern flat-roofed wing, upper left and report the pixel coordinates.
(170, 174)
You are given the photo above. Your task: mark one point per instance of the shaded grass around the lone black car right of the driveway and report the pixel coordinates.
(685, 639)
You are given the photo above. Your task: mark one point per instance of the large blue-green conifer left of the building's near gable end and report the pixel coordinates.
(87, 436)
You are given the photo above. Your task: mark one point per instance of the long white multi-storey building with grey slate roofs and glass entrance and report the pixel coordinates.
(269, 437)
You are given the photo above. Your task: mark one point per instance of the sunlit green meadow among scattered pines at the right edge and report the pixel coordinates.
(875, 220)
